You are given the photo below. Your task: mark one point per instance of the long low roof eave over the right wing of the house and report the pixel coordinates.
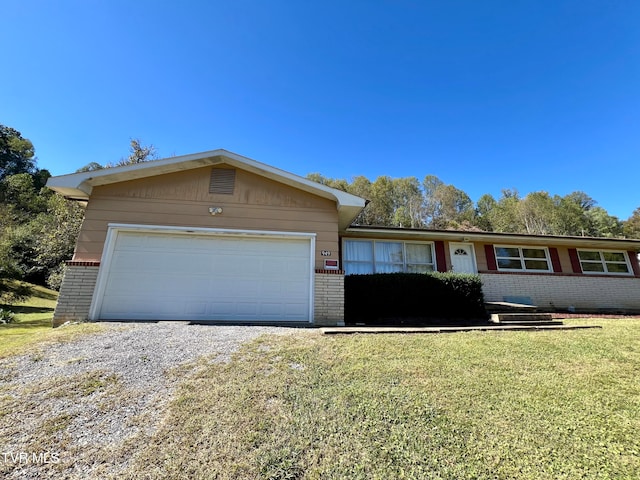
(370, 231)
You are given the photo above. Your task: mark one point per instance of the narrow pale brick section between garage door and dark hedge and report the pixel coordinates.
(329, 298)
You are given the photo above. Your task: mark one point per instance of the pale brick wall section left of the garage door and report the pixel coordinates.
(76, 292)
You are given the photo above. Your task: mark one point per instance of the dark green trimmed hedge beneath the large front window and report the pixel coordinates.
(413, 298)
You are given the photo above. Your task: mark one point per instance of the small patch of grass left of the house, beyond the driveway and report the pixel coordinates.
(32, 325)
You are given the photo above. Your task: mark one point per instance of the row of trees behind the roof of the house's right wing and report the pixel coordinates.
(433, 204)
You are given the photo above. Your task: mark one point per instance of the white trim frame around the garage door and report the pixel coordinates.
(115, 228)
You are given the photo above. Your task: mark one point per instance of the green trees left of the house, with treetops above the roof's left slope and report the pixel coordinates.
(38, 228)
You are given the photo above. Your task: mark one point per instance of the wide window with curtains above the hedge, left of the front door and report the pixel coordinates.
(377, 256)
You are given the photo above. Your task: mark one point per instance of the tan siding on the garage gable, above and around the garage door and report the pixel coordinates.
(183, 199)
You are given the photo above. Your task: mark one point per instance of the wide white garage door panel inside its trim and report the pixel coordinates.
(172, 276)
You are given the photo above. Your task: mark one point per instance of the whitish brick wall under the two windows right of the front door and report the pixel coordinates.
(559, 292)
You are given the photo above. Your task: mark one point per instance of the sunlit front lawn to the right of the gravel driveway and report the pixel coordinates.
(480, 405)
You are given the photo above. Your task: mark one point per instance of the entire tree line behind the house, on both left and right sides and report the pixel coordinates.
(38, 228)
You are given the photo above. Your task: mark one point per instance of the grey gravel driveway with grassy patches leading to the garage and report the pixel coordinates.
(78, 401)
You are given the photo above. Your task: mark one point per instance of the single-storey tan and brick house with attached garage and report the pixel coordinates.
(216, 236)
